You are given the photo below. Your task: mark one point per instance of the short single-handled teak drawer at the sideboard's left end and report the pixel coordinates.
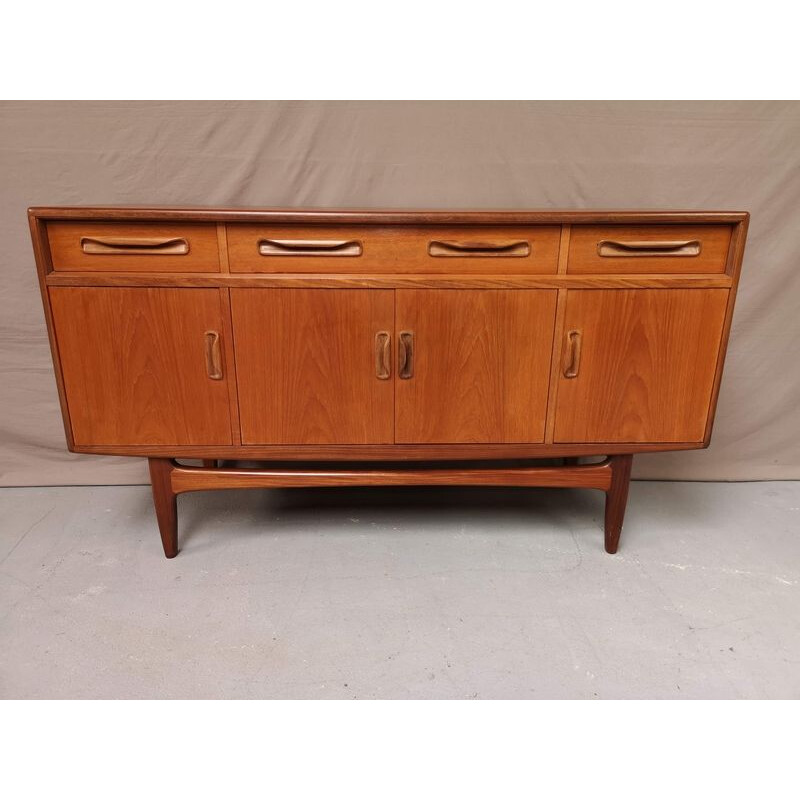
(133, 247)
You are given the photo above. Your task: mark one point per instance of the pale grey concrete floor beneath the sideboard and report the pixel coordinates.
(402, 593)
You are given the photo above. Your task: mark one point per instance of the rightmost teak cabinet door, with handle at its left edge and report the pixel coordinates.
(643, 362)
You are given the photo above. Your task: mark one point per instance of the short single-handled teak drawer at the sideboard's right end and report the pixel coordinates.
(648, 249)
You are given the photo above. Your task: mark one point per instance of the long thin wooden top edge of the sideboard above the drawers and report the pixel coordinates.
(383, 216)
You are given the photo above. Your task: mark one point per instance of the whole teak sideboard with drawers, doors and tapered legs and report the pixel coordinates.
(366, 347)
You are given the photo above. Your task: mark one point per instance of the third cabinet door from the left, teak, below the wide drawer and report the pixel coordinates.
(480, 361)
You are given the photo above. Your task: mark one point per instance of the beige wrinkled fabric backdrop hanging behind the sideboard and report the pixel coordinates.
(706, 155)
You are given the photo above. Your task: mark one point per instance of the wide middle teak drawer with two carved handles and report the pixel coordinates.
(455, 249)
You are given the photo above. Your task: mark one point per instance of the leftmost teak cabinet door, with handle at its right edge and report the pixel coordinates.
(136, 365)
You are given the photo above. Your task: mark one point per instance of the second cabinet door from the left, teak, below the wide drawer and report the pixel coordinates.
(306, 365)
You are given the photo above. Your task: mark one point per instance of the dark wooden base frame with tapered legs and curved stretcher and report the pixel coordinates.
(169, 479)
